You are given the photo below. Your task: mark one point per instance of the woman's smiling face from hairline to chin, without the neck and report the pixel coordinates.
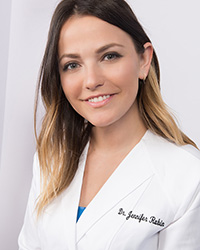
(99, 70)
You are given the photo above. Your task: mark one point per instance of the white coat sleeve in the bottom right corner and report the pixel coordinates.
(184, 233)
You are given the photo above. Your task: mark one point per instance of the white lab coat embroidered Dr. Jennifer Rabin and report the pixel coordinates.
(150, 202)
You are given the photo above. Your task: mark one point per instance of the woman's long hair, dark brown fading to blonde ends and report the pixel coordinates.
(64, 133)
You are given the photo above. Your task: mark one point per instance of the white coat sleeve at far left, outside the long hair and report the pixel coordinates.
(29, 237)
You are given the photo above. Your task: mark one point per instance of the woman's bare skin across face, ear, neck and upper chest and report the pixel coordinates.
(99, 59)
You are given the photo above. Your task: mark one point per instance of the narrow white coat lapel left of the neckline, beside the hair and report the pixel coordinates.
(70, 202)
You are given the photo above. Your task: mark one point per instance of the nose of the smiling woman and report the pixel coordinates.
(93, 77)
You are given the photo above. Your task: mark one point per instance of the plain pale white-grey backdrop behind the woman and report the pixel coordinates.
(173, 27)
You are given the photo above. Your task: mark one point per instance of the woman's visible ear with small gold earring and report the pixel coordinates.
(145, 62)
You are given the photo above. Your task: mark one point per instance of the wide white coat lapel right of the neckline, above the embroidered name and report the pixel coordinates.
(134, 172)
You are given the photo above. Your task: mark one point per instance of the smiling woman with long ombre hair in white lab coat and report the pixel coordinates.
(112, 169)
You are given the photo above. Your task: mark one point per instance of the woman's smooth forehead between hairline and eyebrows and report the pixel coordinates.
(91, 31)
